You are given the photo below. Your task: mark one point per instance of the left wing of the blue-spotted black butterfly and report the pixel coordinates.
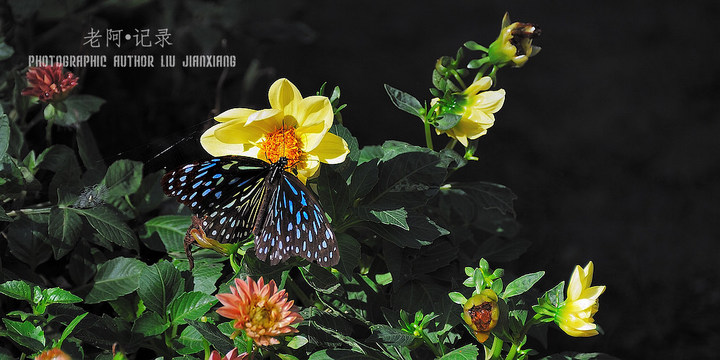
(224, 192)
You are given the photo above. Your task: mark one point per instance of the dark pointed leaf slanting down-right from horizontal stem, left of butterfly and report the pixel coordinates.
(109, 225)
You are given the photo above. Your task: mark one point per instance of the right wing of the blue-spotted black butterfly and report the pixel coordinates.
(295, 226)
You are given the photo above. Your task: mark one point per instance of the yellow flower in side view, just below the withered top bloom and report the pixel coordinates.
(477, 107)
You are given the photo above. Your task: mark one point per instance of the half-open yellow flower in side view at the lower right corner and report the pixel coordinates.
(575, 314)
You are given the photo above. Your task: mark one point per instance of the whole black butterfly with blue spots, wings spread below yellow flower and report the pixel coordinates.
(235, 196)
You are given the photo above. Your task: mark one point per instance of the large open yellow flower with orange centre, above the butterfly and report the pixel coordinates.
(294, 127)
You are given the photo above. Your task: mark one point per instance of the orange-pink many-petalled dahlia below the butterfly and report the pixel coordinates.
(261, 310)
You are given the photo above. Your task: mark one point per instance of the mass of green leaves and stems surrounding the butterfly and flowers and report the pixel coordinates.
(93, 260)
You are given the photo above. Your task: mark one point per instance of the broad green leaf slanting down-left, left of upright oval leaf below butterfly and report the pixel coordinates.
(115, 278)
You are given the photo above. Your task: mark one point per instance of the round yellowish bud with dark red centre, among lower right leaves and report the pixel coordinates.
(481, 313)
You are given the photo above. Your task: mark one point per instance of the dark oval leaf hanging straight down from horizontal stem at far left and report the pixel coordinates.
(64, 230)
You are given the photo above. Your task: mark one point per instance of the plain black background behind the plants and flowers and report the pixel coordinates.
(608, 136)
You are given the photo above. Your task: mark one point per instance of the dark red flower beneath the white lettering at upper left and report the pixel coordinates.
(48, 83)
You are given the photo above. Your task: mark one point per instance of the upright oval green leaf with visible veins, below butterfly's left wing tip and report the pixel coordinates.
(159, 285)
